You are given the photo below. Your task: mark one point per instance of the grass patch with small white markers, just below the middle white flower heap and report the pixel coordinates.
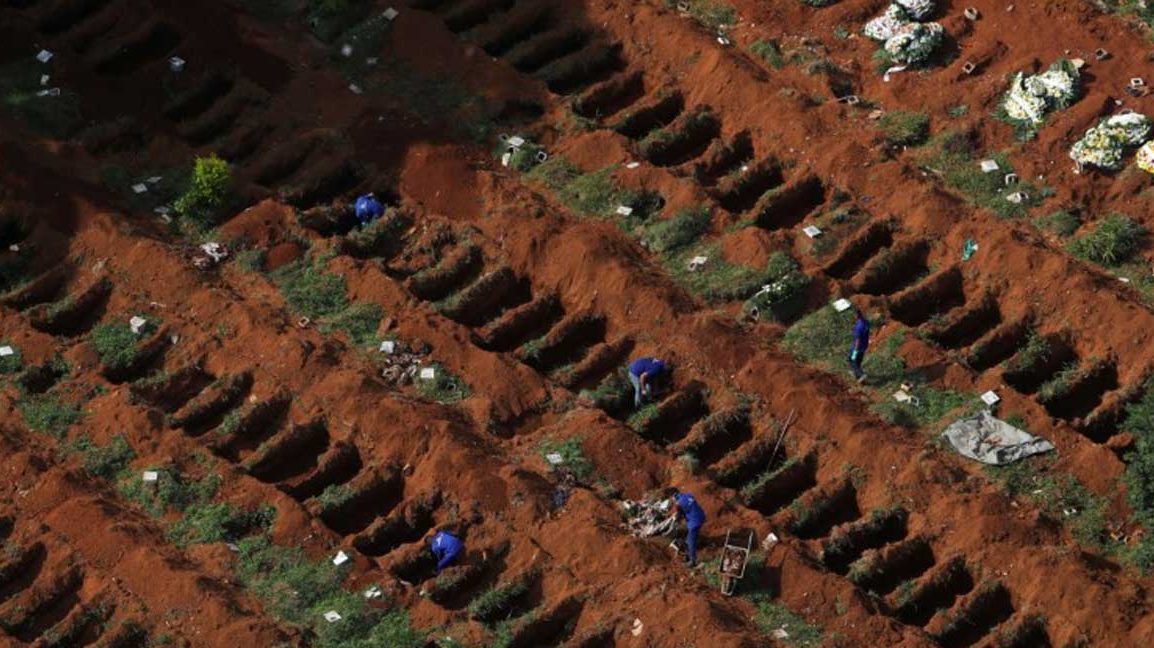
(954, 157)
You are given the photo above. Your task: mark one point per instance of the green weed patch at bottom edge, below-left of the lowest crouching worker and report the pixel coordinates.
(299, 591)
